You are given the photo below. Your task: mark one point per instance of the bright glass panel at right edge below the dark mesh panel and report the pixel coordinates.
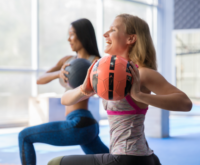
(187, 63)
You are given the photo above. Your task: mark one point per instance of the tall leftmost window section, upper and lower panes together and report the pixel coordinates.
(15, 59)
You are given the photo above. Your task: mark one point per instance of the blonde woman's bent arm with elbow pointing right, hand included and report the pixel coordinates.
(167, 96)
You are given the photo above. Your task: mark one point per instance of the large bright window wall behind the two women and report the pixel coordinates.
(33, 37)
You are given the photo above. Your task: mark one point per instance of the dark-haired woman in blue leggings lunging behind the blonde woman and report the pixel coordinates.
(80, 127)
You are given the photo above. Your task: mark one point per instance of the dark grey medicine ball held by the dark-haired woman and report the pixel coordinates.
(77, 71)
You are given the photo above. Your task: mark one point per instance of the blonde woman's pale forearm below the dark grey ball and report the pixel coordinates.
(73, 96)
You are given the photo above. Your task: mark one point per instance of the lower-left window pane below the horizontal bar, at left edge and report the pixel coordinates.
(15, 90)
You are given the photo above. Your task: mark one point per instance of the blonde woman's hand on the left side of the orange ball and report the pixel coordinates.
(86, 87)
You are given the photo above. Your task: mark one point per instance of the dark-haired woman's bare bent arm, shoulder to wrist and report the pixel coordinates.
(52, 73)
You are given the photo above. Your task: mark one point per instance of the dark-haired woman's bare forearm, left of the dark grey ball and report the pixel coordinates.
(47, 77)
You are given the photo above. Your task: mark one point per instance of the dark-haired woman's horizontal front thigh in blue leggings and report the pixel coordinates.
(59, 133)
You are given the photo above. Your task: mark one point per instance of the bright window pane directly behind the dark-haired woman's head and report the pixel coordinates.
(55, 18)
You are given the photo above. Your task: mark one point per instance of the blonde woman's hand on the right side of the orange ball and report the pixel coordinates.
(135, 89)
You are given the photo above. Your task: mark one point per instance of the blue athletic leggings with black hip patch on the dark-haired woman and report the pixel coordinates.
(80, 128)
